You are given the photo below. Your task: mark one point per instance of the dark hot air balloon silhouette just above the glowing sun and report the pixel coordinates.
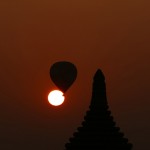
(63, 74)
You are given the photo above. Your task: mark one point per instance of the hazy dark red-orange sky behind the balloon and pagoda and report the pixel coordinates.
(111, 35)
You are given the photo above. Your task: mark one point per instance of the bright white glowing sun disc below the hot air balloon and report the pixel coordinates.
(56, 97)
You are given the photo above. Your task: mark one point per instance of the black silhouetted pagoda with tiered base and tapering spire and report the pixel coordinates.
(98, 130)
